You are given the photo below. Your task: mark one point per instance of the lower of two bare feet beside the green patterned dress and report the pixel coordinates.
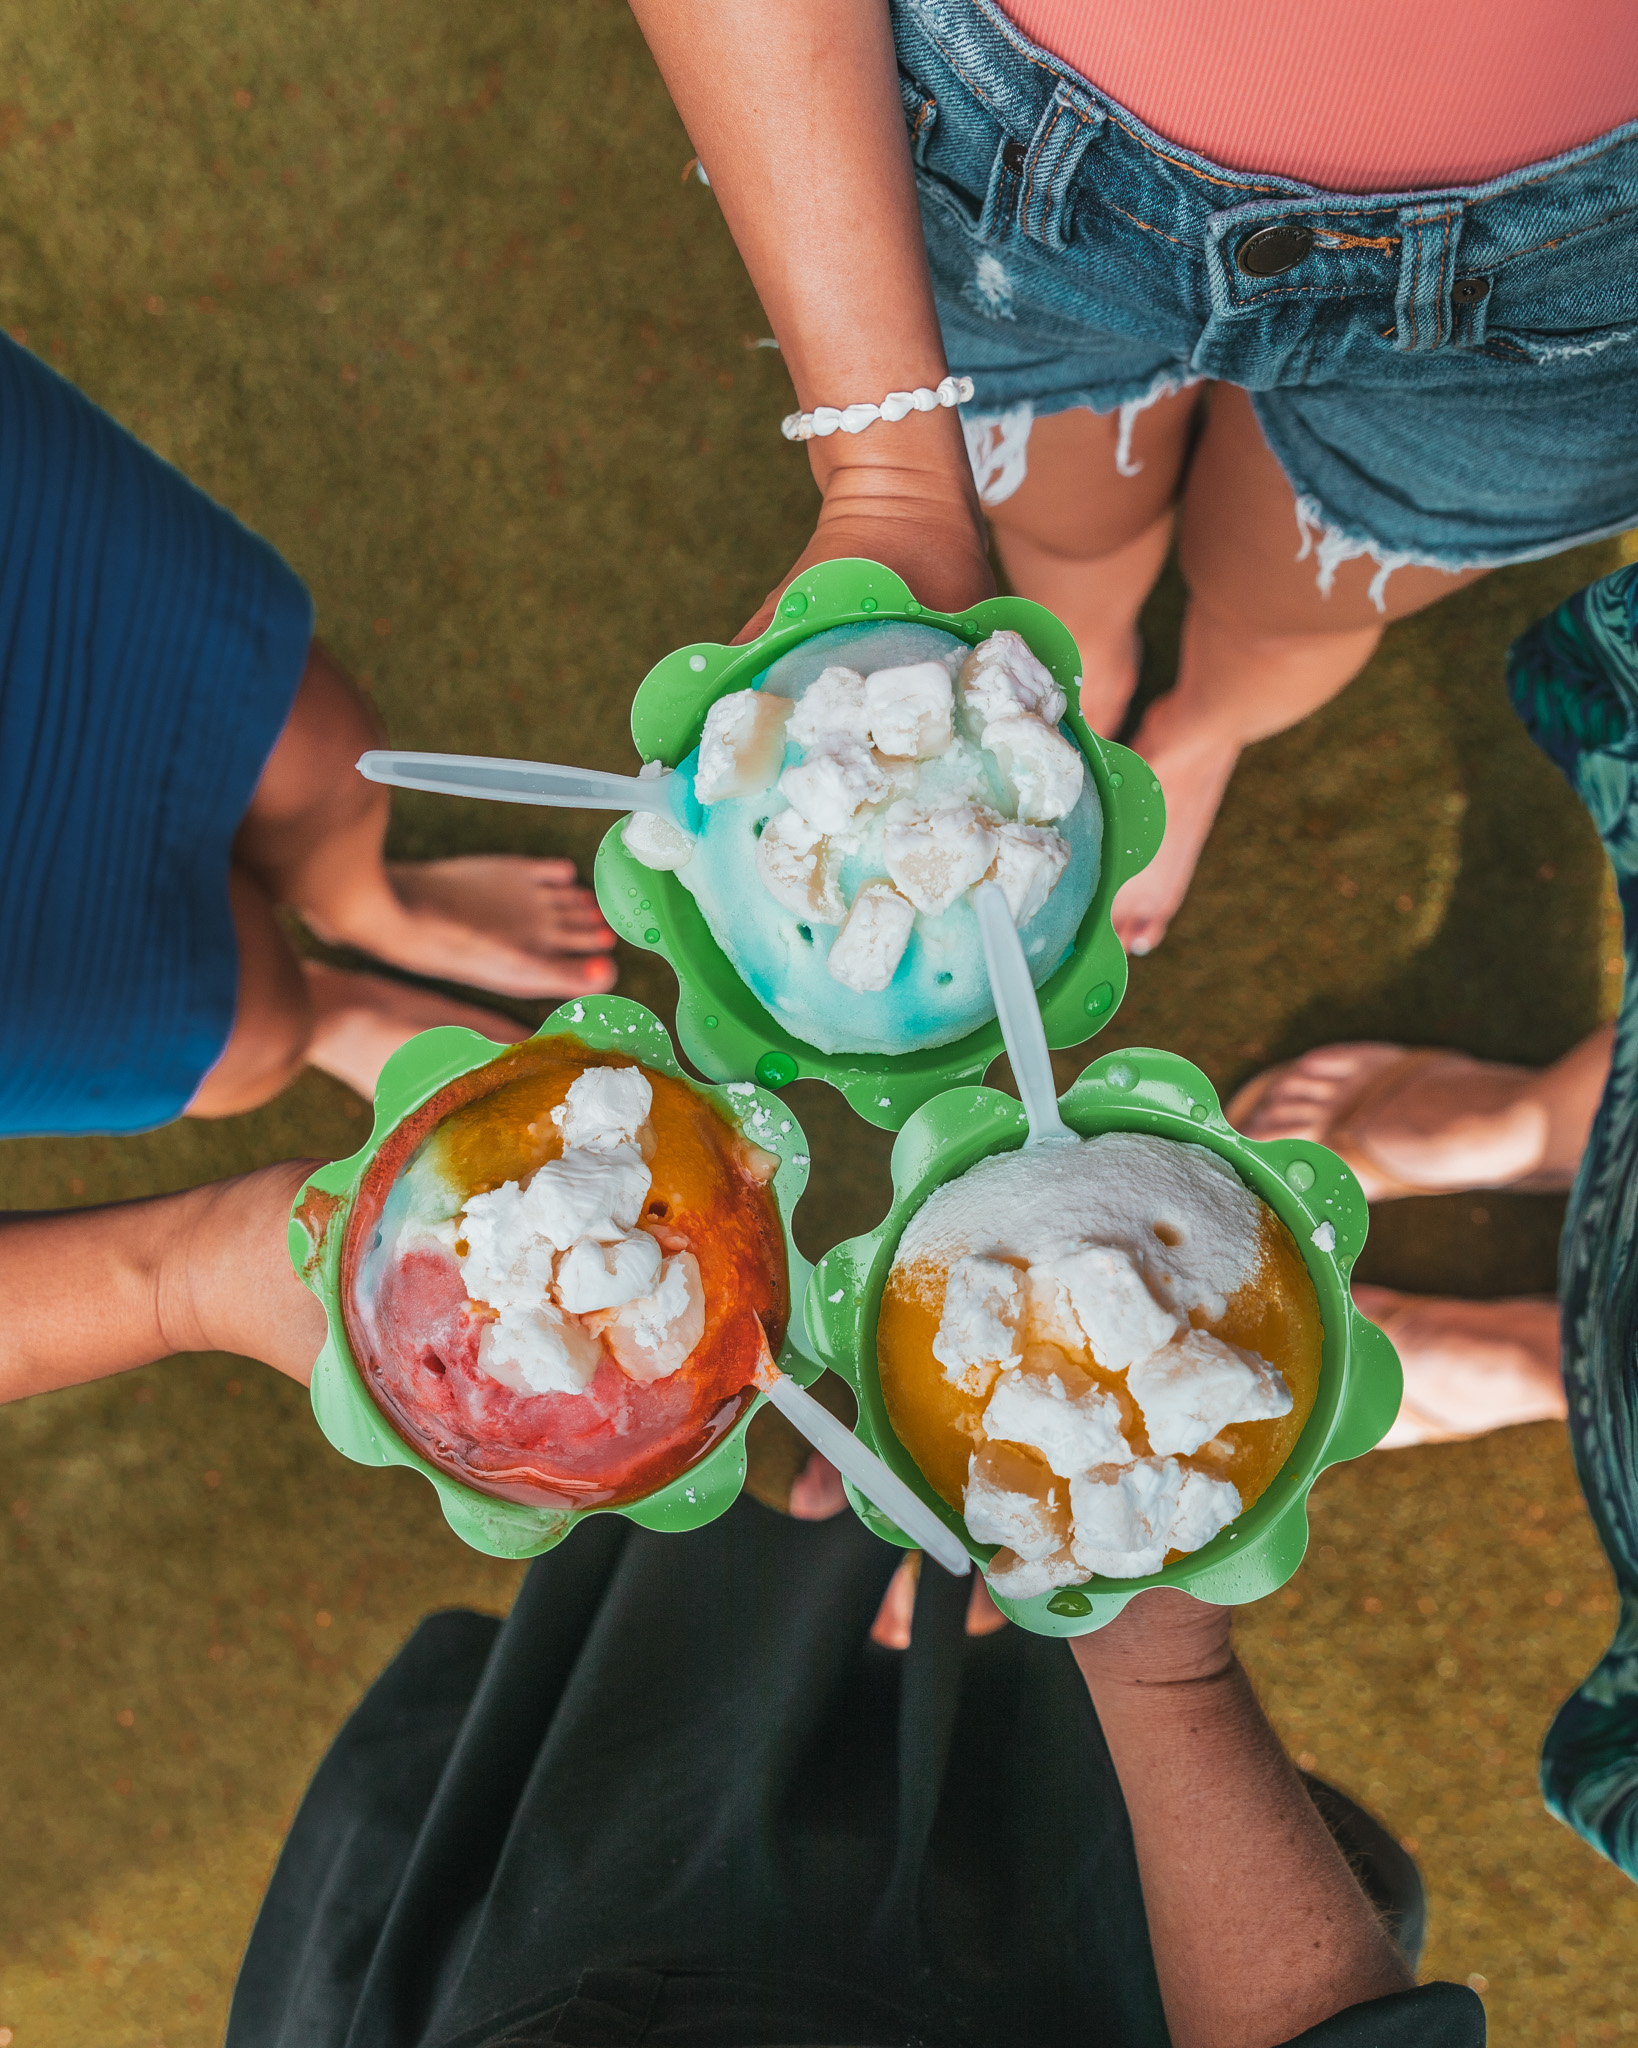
(1469, 1365)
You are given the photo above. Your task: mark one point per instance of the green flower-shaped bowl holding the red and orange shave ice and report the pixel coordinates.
(320, 1230)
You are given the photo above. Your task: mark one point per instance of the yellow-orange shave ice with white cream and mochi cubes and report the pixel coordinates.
(1098, 1353)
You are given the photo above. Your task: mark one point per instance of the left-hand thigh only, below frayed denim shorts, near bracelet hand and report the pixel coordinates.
(1076, 501)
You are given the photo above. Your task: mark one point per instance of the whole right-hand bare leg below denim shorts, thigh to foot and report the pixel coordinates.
(1262, 648)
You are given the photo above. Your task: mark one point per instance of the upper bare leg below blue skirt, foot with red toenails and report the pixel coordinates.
(314, 841)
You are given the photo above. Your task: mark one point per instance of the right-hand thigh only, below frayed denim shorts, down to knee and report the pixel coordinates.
(1242, 546)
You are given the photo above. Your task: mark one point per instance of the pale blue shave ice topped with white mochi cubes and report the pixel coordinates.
(843, 810)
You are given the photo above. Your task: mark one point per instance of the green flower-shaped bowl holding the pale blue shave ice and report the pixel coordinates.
(722, 1025)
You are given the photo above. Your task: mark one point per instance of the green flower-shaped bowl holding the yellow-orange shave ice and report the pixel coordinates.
(1305, 1185)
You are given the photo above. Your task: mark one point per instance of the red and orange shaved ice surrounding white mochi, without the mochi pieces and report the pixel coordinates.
(417, 1334)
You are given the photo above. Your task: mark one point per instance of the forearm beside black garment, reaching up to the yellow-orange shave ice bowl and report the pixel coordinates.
(1256, 1922)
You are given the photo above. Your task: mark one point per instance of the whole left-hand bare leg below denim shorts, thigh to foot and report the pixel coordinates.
(1088, 542)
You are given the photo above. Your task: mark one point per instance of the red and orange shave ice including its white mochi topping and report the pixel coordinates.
(560, 1277)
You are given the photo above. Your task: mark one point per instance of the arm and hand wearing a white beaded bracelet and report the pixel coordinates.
(795, 112)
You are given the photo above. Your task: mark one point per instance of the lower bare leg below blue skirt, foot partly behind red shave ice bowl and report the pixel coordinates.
(296, 1013)
